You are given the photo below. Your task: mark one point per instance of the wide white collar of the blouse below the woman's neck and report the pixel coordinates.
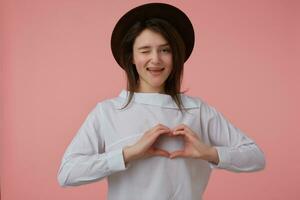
(159, 99)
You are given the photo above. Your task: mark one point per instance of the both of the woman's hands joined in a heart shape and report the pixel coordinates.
(193, 145)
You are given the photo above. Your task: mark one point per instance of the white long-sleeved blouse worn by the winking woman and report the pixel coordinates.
(96, 150)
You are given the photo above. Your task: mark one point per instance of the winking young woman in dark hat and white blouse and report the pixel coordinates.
(152, 141)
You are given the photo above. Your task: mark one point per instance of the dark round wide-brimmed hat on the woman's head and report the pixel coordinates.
(173, 15)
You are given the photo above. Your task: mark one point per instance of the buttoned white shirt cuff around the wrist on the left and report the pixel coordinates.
(115, 160)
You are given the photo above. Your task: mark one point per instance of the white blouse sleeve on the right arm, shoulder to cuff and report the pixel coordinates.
(237, 152)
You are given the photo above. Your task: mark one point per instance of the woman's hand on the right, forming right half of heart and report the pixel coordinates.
(194, 146)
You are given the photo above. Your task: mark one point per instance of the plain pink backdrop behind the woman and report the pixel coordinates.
(56, 64)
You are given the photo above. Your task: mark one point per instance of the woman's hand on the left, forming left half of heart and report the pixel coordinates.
(144, 147)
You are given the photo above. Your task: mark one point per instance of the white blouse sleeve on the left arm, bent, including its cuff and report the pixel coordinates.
(85, 160)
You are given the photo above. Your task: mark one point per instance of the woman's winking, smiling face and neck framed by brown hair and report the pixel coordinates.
(152, 57)
